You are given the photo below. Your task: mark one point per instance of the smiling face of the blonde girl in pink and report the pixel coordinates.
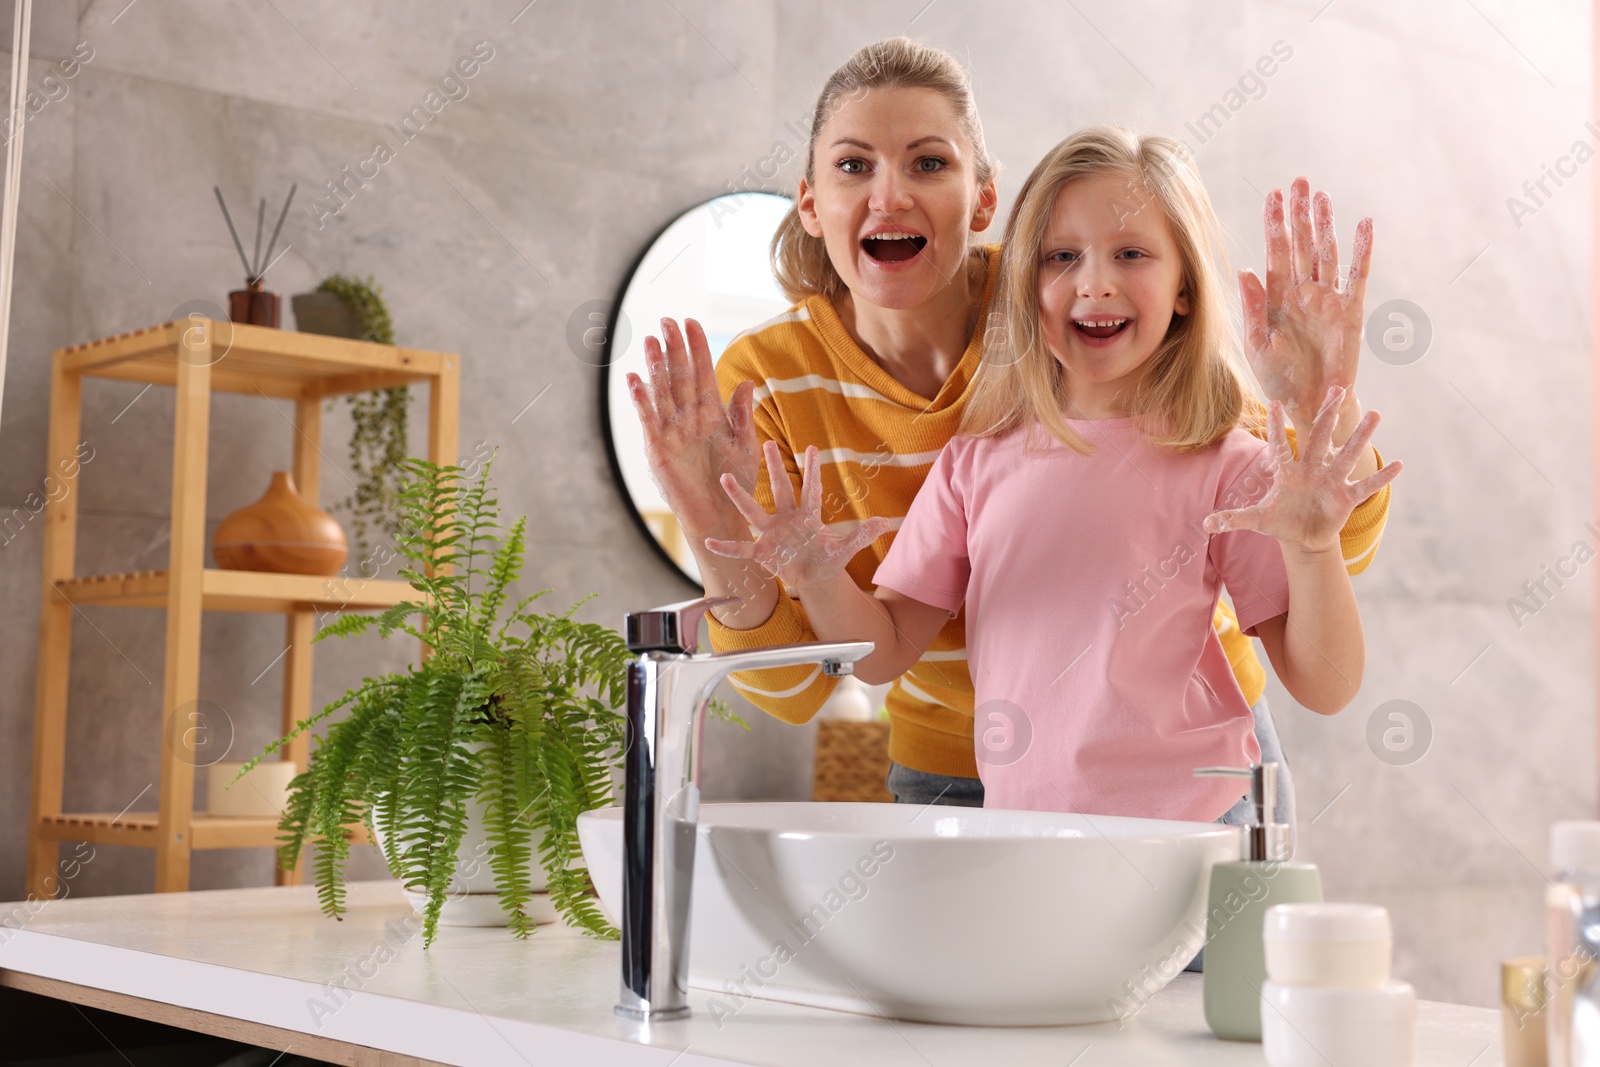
(1110, 284)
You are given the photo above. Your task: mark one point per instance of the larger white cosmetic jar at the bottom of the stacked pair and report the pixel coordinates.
(1303, 1026)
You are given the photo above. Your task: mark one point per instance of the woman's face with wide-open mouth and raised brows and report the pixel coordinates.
(895, 194)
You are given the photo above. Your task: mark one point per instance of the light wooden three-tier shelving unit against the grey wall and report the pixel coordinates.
(199, 358)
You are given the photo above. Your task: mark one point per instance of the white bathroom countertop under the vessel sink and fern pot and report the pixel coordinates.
(482, 997)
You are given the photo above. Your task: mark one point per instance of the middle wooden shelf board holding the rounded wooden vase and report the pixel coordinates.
(241, 591)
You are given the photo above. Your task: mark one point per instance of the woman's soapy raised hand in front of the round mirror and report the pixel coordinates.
(692, 441)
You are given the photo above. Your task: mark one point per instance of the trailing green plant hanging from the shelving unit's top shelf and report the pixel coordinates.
(378, 423)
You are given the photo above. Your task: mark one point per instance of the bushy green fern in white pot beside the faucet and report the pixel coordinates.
(521, 714)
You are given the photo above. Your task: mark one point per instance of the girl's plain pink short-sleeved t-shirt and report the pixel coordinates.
(1090, 585)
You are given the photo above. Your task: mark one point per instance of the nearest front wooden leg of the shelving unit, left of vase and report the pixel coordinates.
(182, 716)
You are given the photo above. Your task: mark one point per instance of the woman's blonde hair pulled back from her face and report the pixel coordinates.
(799, 260)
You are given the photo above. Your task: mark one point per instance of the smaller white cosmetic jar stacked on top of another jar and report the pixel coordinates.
(1332, 945)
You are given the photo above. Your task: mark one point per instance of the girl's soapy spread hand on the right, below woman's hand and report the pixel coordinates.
(1313, 497)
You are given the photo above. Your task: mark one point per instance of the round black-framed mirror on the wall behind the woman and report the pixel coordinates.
(710, 265)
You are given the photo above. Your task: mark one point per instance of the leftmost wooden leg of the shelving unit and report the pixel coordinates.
(55, 633)
